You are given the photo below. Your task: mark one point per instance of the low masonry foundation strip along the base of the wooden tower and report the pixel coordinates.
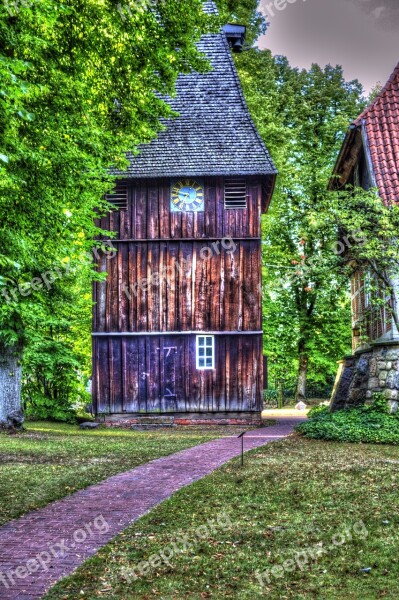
(172, 420)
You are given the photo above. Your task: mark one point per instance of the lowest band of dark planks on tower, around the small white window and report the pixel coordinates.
(158, 374)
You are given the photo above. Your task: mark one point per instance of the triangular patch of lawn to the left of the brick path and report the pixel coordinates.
(50, 460)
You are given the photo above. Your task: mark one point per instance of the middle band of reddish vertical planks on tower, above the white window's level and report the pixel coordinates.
(176, 286)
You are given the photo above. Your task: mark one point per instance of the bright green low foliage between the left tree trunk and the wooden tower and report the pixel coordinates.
(57, 357)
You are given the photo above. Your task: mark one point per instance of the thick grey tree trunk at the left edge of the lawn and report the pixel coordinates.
(11, 415)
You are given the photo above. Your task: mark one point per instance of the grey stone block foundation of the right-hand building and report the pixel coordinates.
(366, 373)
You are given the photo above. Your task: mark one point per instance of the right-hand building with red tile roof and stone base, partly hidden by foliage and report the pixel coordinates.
(370, 158)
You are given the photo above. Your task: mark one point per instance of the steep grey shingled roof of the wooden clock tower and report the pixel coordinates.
(214, 133)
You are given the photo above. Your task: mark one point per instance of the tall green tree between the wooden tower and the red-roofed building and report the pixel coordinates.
(302, 116)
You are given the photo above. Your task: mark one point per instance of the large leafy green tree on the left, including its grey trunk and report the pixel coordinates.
(80, 84)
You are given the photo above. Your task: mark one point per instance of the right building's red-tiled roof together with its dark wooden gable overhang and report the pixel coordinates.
(379, 129)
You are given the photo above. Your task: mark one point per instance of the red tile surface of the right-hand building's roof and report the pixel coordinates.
(381, 123)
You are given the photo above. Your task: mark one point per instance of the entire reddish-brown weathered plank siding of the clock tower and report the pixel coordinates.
(176, 274)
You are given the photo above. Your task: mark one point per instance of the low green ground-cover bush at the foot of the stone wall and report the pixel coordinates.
(369, 424)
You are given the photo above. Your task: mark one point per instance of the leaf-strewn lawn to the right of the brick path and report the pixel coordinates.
(290, 496)
